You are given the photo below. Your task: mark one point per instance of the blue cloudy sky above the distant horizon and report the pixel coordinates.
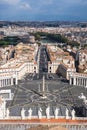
(43, 10)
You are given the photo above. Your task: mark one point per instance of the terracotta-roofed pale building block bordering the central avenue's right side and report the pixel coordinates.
(56, 57)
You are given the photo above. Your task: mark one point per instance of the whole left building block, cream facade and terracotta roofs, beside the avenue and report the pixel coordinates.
(25, 61)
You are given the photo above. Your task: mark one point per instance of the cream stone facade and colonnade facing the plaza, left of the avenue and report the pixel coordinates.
(11, 75)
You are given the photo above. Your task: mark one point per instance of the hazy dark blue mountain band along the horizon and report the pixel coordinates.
(44, 23)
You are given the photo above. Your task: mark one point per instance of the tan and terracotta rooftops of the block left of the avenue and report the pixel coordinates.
(23, 53)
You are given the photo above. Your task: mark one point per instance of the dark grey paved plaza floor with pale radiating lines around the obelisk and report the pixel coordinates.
(27, 94)
